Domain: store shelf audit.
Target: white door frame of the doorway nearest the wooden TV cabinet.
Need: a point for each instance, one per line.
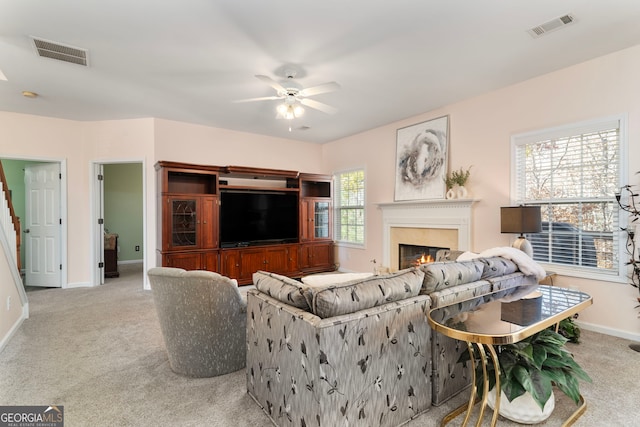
(97, 202)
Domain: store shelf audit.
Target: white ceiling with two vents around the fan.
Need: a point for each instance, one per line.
(189, 60)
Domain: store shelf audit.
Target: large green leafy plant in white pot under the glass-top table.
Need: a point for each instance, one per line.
(534, 365)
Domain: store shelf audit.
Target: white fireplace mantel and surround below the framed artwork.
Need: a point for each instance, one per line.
(444, 214)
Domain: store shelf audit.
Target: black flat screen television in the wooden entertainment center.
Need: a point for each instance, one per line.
(252, 218)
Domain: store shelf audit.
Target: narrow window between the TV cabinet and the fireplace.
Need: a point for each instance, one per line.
(350, 207)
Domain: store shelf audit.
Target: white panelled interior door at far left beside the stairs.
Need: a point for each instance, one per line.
(43, 224)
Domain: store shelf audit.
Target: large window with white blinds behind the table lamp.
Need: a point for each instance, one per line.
(573, 173)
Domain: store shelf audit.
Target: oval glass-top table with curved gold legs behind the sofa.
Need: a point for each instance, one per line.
(480, 323)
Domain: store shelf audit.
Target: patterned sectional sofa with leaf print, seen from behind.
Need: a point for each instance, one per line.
(361, 353)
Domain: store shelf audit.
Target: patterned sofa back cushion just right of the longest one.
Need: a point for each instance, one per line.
(440, 275)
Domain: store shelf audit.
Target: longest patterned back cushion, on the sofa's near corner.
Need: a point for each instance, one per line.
(356, 295)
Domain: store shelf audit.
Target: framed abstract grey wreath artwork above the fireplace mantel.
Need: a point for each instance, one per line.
(421, 159)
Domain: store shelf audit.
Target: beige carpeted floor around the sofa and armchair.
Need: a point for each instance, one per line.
(99, 352)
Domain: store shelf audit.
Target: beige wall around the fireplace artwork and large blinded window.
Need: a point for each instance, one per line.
(480, 132)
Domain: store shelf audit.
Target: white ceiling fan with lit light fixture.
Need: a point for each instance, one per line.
(295, 96)
